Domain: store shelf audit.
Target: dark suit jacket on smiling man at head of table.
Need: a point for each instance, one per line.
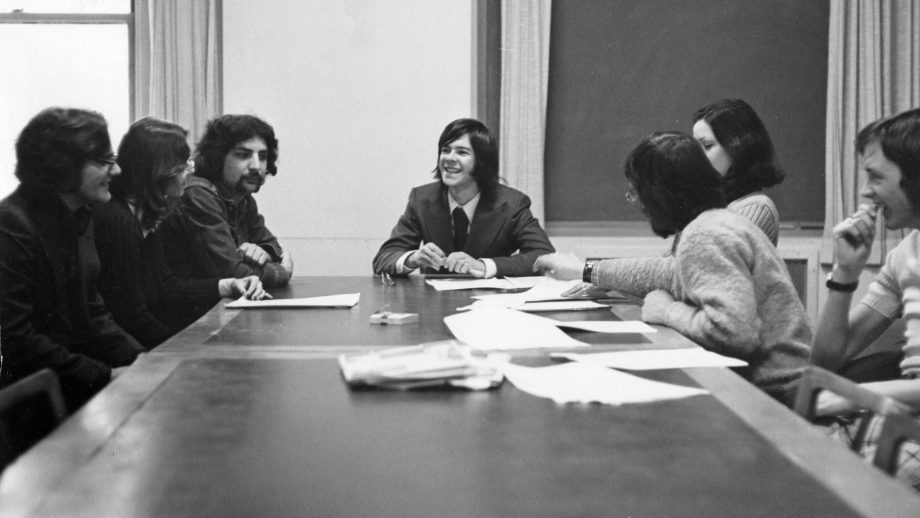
(501, 225)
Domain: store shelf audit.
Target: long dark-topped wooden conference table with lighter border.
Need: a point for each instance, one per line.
(245, 414)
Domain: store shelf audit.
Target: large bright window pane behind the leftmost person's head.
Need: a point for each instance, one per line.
(82, 66)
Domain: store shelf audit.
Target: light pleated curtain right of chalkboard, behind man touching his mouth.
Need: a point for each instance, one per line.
(873, 72)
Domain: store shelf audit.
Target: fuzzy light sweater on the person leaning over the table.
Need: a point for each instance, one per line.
(734, 297)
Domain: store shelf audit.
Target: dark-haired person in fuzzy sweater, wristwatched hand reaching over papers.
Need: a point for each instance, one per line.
(731, 292)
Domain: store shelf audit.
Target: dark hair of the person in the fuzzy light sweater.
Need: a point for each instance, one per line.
(673, 180)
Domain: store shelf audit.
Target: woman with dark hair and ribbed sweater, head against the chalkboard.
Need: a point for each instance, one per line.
(740, 149)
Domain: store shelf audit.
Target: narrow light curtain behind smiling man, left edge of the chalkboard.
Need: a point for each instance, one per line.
(525, 78)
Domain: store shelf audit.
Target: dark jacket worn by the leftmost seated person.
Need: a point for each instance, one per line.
(50, 312)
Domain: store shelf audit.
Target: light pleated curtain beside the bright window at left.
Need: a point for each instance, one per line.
(177, 61)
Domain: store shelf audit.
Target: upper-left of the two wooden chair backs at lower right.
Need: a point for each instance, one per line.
(816, 379)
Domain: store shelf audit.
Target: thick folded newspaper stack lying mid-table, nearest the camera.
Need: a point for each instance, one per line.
(437, 364)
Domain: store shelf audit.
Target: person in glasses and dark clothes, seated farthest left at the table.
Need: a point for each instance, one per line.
(50, 313)
